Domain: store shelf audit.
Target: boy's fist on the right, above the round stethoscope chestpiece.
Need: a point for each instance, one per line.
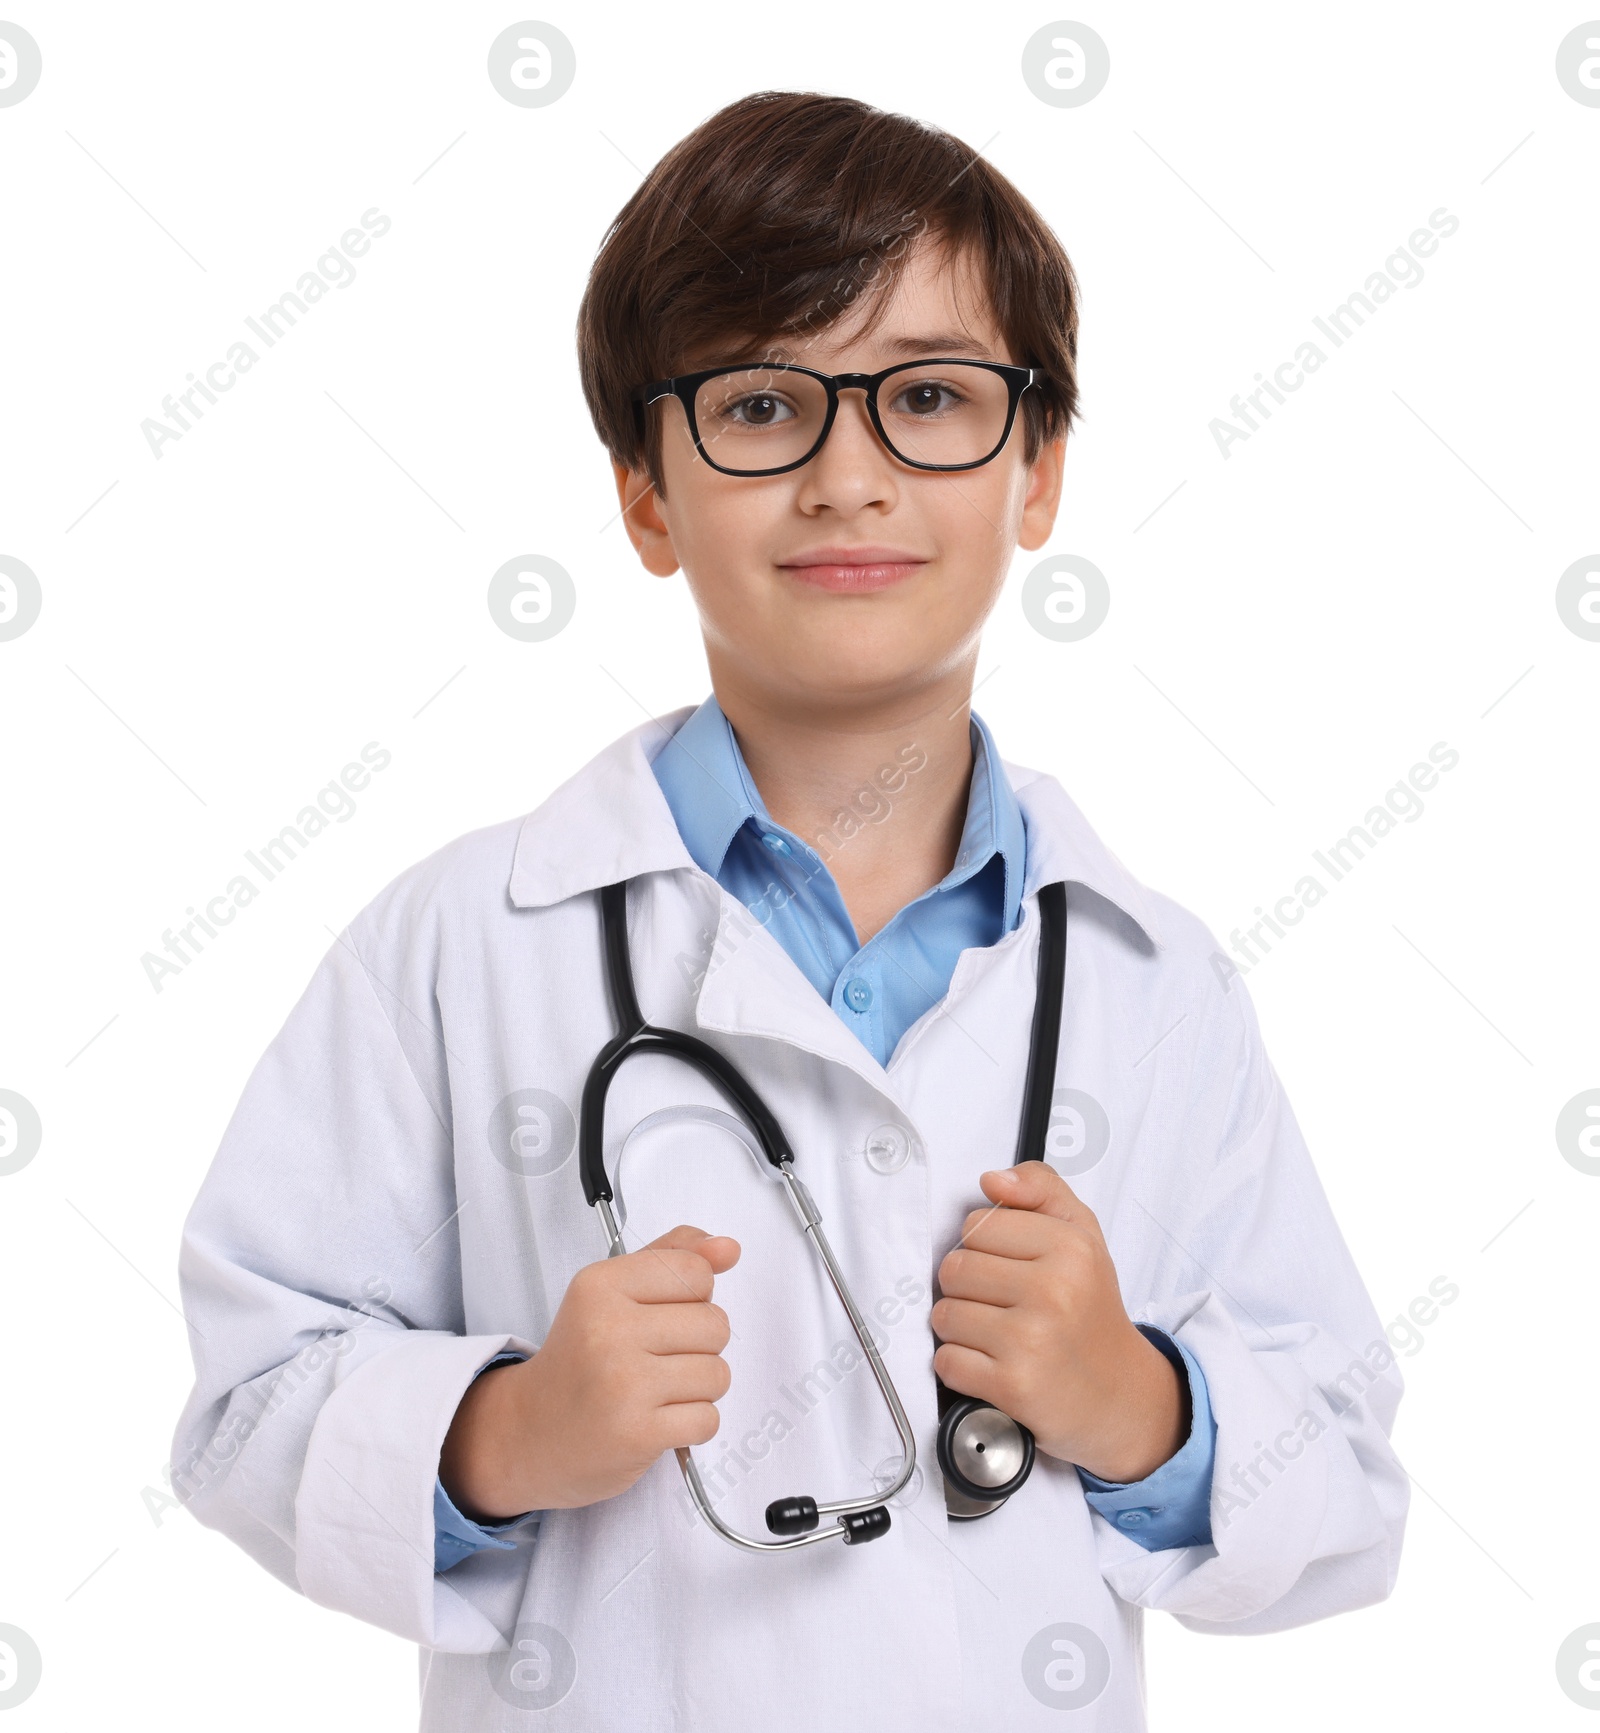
(1032, 1321)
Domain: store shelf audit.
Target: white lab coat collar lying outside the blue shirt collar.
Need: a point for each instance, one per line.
(613, 821)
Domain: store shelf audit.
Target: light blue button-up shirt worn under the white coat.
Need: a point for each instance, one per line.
(880, 990)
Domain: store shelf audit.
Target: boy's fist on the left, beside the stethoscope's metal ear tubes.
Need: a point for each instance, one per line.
(632, 1368)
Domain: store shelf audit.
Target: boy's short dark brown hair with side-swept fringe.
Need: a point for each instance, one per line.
(774, 216)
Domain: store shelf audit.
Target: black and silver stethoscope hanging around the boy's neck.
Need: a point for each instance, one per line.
(984, 1455)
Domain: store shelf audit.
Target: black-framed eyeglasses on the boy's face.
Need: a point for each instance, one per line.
(932, 415)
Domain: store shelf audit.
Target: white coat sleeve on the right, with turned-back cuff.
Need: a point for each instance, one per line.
(1308, 1500)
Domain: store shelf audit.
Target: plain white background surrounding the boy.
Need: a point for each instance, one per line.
(1289, 633)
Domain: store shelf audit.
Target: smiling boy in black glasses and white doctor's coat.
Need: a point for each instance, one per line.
(427, 1399)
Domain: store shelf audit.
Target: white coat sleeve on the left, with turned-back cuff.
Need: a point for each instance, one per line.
(322, 1283)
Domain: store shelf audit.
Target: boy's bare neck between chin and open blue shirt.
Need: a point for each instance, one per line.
(880, 789)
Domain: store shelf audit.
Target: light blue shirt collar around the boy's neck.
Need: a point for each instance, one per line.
(712, 795)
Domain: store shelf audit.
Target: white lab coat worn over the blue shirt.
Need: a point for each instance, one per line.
(380, 1221)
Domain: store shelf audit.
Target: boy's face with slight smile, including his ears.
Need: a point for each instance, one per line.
(942, 543)
